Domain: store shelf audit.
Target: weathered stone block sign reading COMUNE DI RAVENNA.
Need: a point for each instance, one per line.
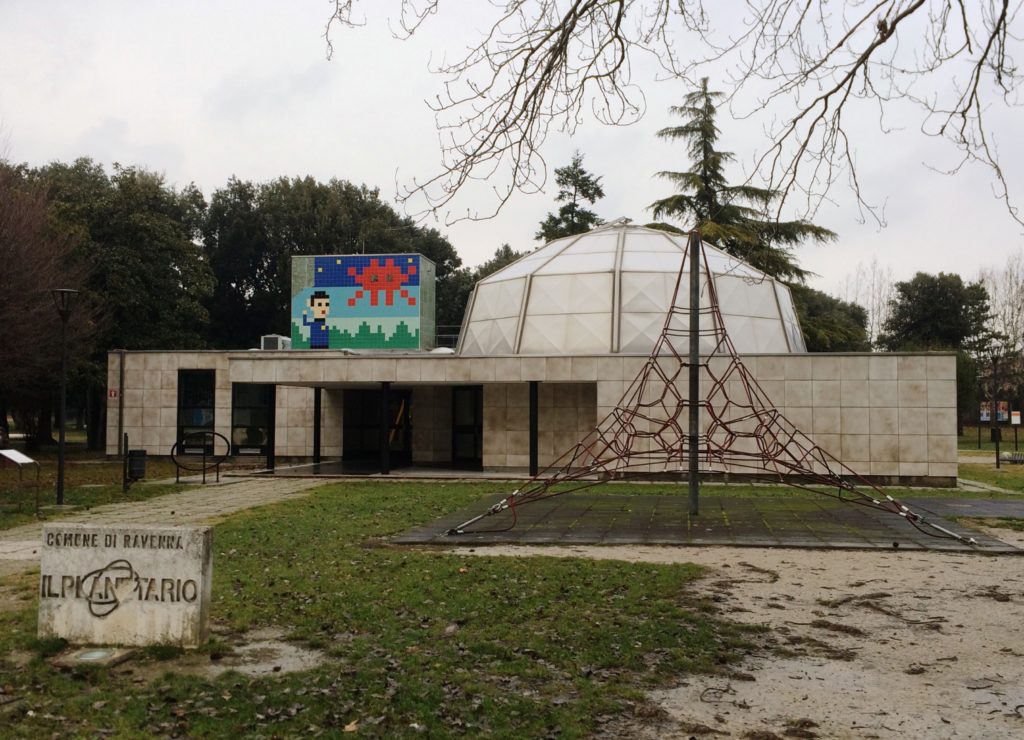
(125, 586)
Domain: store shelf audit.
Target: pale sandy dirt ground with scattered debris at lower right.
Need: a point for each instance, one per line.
(880, 645)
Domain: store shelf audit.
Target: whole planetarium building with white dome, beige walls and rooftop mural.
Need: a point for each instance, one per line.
(548, 347)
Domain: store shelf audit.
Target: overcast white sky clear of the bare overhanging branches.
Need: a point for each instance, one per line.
(203, 92)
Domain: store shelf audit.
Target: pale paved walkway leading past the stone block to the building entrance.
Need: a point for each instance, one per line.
(20, 547)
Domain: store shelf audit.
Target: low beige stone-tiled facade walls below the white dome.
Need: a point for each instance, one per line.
(890, 417)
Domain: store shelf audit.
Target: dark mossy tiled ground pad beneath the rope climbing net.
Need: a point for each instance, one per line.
(610, 519)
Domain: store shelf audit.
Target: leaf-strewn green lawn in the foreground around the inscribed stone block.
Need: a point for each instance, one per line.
(420, 642)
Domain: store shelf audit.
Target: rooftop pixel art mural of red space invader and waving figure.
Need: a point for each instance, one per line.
(363, 302)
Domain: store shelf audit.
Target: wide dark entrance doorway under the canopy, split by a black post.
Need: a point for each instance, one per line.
(362, 432)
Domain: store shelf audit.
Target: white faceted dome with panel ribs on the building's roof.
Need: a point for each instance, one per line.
(609, 292)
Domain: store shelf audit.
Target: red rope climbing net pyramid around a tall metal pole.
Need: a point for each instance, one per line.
(741, 432)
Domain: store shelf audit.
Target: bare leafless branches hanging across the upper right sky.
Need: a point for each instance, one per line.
(799, 67)
